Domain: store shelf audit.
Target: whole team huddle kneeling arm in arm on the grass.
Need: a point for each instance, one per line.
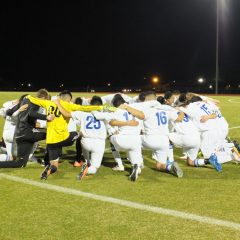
(158, 123)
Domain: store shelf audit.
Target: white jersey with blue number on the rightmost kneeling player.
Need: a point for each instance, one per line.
(198, 109)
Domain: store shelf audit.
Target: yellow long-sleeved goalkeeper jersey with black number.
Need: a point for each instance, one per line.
(57, 130)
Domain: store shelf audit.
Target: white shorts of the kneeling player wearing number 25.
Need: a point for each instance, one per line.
(93, 150)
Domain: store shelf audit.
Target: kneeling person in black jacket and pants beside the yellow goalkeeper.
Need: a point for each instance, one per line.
(26, 134)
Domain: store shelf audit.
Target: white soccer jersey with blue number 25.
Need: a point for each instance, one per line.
(90, 127)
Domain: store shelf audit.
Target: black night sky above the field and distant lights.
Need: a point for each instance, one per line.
(122, 42)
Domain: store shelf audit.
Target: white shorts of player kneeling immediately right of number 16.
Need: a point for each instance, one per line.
(189, 143)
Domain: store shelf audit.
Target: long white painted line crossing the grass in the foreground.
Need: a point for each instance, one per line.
(144, 207)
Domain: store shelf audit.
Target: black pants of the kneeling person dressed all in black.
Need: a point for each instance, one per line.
(24, 148)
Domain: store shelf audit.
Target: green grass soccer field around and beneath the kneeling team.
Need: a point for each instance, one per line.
(204, 204)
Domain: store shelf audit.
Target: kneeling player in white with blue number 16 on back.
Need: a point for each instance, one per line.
(155, 137)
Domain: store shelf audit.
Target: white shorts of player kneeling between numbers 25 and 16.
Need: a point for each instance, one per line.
(130, 144)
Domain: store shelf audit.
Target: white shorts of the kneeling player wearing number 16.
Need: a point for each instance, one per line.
(159, 144)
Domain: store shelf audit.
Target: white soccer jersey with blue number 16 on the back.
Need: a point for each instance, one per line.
(156, 121)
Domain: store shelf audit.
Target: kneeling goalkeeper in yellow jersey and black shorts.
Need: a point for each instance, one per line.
(57, 130)
